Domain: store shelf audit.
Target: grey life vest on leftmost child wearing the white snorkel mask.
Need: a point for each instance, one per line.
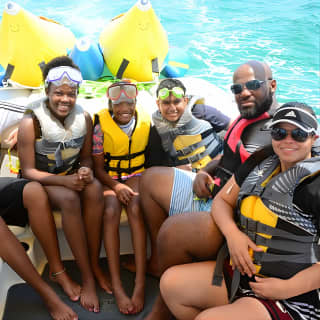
(58, 148)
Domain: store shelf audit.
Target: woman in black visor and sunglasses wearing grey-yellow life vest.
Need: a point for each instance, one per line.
(274, 245)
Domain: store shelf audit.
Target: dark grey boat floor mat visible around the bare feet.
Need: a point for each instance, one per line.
(24, 303)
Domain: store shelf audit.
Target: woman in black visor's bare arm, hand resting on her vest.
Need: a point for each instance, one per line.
(238, 243)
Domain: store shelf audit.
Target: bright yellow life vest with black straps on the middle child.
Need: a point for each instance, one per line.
(123, 155)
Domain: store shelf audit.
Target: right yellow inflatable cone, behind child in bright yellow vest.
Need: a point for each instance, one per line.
(134, 44)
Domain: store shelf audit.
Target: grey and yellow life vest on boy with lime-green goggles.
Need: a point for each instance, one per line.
(189, 140)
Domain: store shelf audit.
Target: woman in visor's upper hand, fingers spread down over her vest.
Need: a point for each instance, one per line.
(239, 245)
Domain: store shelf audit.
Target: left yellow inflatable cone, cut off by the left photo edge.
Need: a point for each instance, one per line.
(27, 42)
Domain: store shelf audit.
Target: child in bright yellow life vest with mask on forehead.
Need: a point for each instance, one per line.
(120, 137)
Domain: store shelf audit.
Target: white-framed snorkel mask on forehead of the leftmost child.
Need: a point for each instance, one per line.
(63, 75)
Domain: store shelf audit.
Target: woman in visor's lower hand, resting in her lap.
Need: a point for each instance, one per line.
(271, 288)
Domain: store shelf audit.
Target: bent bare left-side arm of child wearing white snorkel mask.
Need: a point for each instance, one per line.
(26, 142)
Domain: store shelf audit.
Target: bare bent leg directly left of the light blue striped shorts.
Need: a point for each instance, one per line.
(155, 187)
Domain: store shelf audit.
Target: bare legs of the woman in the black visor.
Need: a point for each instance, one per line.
(187, 290)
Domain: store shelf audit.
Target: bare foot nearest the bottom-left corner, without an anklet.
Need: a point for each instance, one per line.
(59, 310)
